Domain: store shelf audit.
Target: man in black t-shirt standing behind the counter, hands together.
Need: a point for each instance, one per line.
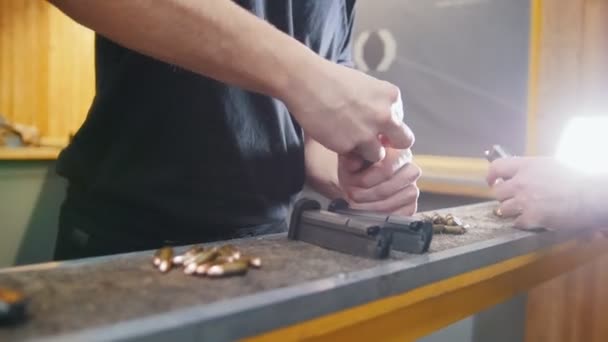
(210, 115)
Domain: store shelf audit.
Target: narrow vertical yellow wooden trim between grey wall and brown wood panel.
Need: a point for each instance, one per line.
(536, 23)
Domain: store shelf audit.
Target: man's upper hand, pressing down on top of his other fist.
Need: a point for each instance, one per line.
(349, 112)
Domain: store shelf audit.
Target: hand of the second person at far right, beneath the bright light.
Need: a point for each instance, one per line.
(541, 193)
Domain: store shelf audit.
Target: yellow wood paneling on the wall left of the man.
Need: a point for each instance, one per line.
(46, 68)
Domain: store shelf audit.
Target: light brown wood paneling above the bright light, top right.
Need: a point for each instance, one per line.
(573, 66)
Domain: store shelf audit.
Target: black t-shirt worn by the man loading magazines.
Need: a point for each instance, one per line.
(166, 152)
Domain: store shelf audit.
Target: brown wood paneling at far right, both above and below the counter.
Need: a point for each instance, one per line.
(573, 77)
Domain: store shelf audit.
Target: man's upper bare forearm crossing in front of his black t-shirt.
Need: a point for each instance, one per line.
(215, 38)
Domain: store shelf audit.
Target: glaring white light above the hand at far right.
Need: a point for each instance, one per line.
(584, 144)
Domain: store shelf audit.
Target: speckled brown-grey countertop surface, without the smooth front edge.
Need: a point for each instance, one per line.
(94, 293)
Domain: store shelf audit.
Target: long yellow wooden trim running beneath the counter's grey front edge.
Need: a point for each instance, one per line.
(417, 313)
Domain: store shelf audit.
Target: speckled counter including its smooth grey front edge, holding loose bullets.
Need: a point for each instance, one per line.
(124, 297)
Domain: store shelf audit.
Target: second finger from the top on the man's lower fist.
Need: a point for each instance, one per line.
(404, 177)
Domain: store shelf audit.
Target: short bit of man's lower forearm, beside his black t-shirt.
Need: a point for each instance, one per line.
(322, 169)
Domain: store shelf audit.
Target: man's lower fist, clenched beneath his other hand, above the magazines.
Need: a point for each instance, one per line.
(387, 186)
